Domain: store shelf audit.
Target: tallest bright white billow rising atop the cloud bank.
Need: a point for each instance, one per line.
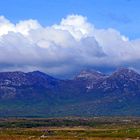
(77, 25)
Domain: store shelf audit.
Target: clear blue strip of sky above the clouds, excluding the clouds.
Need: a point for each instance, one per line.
(122, 15)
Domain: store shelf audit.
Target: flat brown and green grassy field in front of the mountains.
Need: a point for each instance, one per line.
(70, 129)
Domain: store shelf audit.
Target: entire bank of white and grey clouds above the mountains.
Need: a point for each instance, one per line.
(64, 48)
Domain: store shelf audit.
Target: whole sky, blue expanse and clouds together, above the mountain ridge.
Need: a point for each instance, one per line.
(62, 37)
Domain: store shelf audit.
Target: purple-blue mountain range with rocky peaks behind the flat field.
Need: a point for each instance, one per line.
(90, 93)
